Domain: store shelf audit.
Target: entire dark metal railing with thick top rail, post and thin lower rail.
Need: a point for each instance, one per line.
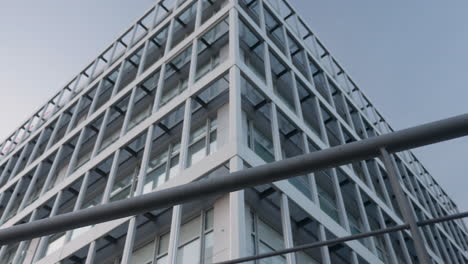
(379, 146)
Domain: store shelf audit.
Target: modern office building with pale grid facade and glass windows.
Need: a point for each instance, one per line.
(196, 89)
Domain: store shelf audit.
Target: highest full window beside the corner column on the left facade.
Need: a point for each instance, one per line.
(213, 48)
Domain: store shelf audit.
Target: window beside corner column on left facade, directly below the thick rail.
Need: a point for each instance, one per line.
(193, 234)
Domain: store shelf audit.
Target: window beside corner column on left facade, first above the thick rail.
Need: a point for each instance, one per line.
(202, 141)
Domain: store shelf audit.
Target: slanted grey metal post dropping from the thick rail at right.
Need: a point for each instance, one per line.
(403, 203)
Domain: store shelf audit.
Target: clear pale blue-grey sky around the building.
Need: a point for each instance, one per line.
(410, 57)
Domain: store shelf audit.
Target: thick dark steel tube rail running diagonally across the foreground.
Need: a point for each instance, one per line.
(332, 157)
